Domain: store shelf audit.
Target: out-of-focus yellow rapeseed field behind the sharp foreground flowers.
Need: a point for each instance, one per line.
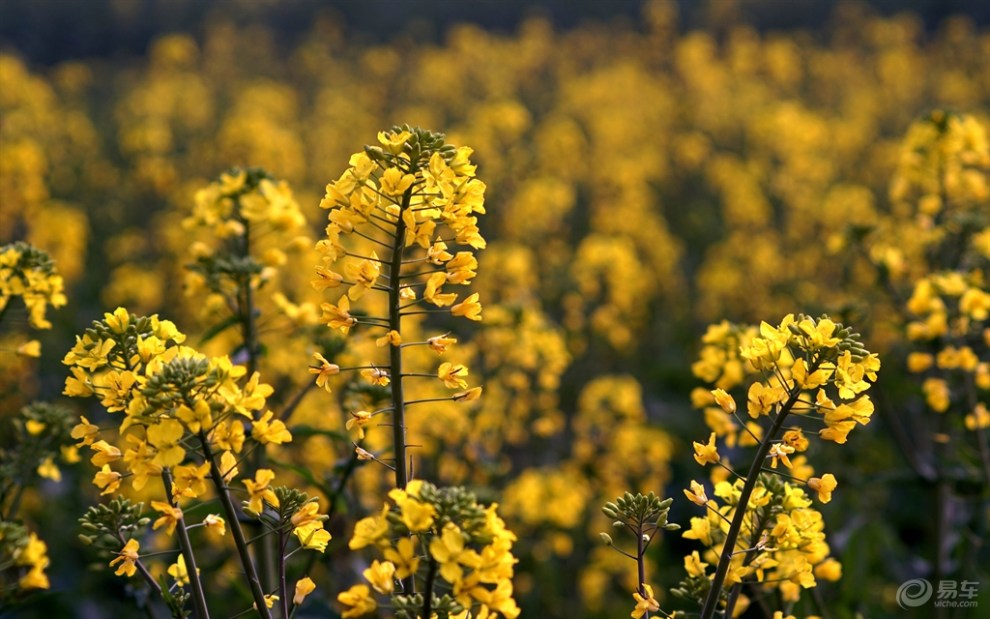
(600, 227)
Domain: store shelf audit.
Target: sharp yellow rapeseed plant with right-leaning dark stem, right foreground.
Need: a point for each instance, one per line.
(806, 378)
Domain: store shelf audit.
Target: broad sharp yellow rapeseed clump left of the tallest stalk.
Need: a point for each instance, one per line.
(188, 421)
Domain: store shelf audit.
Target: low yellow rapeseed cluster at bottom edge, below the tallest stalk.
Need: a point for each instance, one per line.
(457, 551)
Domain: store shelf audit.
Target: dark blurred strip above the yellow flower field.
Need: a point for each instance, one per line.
(46, 32)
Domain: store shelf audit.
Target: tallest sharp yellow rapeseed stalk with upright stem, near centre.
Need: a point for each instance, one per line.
(411, 198)
